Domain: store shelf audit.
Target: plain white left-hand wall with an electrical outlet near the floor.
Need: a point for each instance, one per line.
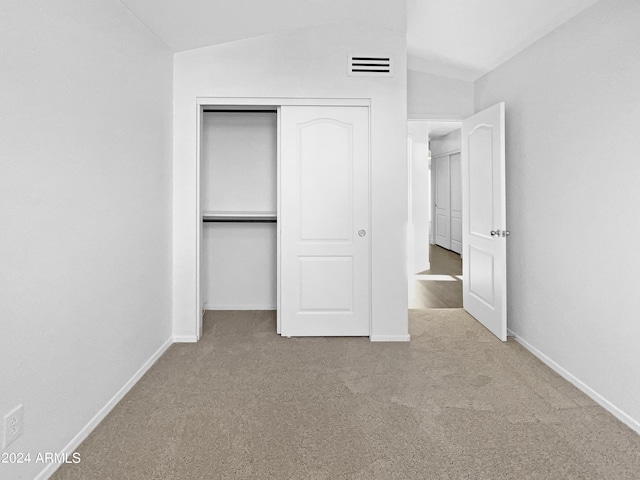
(85, 215)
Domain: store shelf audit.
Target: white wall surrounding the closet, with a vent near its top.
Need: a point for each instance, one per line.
(303, 63)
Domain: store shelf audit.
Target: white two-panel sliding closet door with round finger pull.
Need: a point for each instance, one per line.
(324, 221)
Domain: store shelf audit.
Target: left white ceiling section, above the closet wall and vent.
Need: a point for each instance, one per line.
(184, 25)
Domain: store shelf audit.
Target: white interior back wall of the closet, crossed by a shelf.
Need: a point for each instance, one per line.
(238, 175)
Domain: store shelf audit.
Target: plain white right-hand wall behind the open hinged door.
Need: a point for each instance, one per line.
(572, 112)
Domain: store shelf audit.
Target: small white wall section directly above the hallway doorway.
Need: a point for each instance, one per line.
(433, 96)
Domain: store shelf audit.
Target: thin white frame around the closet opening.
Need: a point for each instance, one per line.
(266, 103)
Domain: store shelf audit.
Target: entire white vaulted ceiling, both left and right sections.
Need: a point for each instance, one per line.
(460, 39)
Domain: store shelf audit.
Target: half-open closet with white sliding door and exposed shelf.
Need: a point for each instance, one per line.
(284, 214)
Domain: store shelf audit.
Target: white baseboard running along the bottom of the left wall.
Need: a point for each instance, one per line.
(103, 412)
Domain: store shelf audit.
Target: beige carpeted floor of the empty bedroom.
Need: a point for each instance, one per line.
(454, 403)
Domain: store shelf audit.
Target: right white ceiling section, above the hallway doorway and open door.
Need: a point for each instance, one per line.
(465, 39)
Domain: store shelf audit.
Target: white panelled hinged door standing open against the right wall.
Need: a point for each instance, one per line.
(484, 233)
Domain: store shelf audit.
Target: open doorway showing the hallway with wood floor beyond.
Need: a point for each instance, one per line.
(435, 213)
